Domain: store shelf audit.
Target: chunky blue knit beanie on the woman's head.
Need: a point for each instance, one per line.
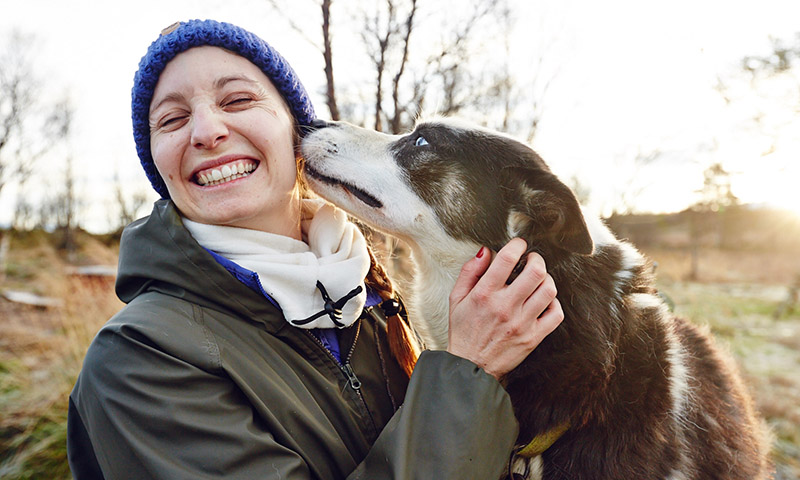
(194, 33)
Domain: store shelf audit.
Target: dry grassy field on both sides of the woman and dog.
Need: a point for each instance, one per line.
(41, 350)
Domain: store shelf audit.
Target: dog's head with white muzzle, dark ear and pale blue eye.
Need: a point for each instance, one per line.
(446, 178)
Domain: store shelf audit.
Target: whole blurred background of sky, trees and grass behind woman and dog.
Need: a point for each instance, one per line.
(677, 122)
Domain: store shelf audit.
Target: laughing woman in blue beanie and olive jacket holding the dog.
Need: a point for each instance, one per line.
(254, 343)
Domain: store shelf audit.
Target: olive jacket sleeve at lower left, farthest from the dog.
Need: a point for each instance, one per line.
(138, 412)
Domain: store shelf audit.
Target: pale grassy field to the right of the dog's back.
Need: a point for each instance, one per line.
(742, 316)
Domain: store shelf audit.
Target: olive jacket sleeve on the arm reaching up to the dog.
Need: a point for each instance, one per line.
(456, 423)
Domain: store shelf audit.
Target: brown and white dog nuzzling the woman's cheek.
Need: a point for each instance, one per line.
(622, 389)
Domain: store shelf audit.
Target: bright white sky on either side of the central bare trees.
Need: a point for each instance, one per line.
(633, 78)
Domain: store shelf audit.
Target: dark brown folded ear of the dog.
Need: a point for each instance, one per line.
(547, 211)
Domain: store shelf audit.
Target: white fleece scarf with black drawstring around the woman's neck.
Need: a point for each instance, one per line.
(318, 283)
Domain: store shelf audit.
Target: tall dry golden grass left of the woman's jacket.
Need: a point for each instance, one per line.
(41, 352)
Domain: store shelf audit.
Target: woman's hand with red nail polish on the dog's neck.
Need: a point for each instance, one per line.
(496, 325)
